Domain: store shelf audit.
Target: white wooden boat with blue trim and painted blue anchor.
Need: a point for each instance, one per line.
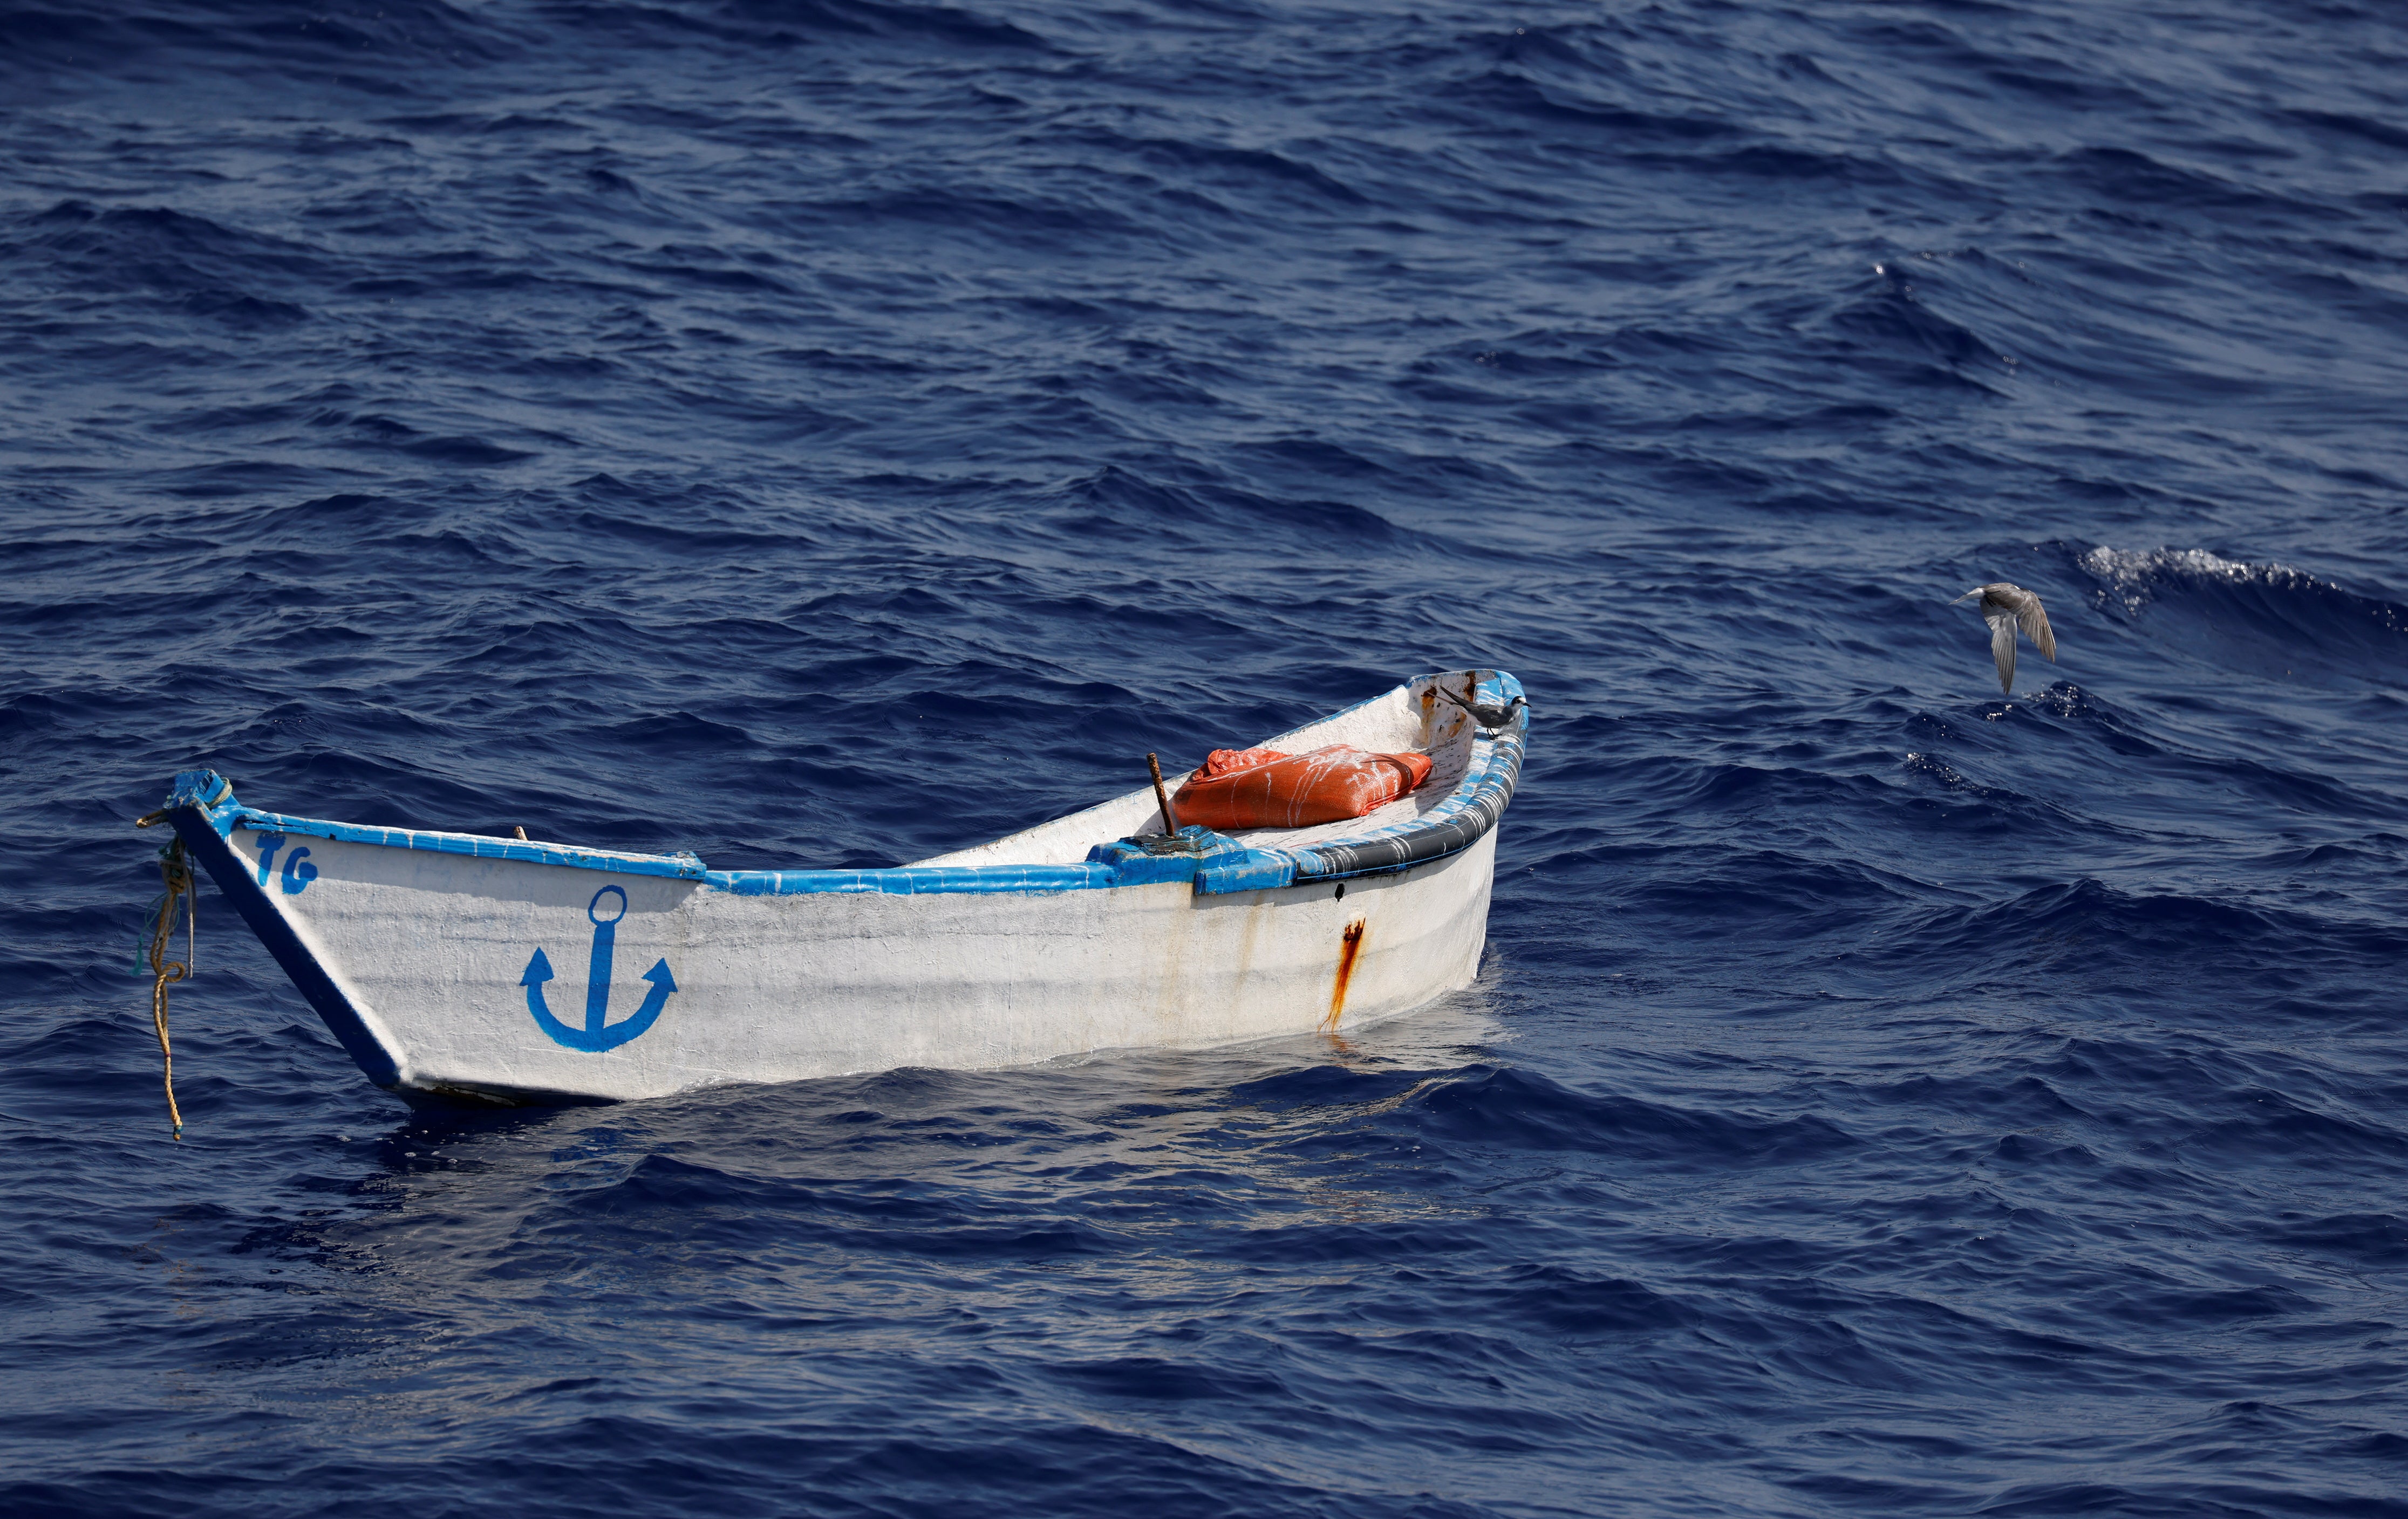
(490, 969)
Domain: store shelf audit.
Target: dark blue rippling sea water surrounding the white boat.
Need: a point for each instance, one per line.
(825, 432)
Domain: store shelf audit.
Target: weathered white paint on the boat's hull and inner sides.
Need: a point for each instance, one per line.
(430, 950)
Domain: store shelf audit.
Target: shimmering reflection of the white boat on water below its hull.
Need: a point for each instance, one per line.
(1099, 1154)
